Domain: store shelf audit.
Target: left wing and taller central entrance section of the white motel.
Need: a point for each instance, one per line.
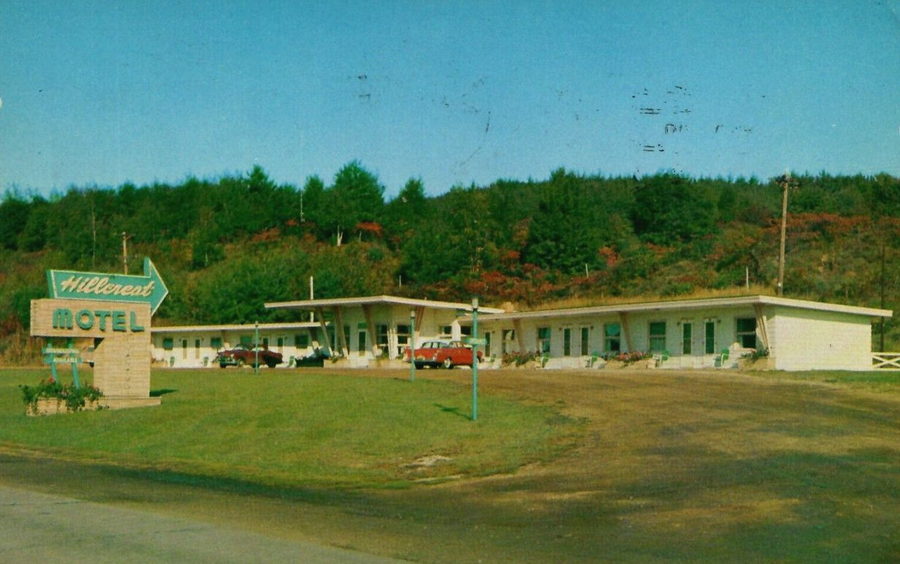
(375, 331)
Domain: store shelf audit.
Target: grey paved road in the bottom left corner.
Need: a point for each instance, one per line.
(41, 527)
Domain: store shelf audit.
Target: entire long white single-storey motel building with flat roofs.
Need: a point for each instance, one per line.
(375, 331)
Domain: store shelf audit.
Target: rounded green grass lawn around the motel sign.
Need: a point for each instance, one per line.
(296, 428)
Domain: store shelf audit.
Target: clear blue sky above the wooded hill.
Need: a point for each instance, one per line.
(100, 93)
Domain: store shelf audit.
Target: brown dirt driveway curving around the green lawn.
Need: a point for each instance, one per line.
(670, 465)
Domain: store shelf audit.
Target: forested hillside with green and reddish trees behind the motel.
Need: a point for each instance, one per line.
(226, 246)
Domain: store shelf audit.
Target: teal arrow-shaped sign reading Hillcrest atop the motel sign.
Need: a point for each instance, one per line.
(67, 284)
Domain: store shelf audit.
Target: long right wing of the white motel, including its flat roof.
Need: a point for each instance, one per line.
(791, 334)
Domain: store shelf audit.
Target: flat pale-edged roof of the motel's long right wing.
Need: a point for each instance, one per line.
(671, 305)
